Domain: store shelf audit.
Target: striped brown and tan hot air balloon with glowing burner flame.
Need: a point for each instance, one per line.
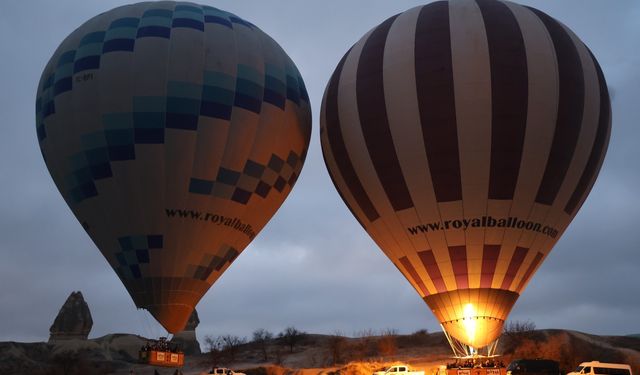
(464, 136)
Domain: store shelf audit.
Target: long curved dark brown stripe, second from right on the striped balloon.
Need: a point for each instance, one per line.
(570, 107)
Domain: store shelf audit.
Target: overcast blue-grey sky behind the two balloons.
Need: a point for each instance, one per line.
(313, 266)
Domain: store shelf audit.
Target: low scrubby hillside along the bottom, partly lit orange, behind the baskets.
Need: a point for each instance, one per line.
(312, 354)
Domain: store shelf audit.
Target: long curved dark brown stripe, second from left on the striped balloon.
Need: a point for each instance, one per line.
(374, 121)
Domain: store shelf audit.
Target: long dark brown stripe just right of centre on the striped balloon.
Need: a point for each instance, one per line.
(509, 96)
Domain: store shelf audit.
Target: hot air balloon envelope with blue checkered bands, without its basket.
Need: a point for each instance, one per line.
(174, 131)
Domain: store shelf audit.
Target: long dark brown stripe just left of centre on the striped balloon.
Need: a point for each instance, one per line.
(436, 101)
